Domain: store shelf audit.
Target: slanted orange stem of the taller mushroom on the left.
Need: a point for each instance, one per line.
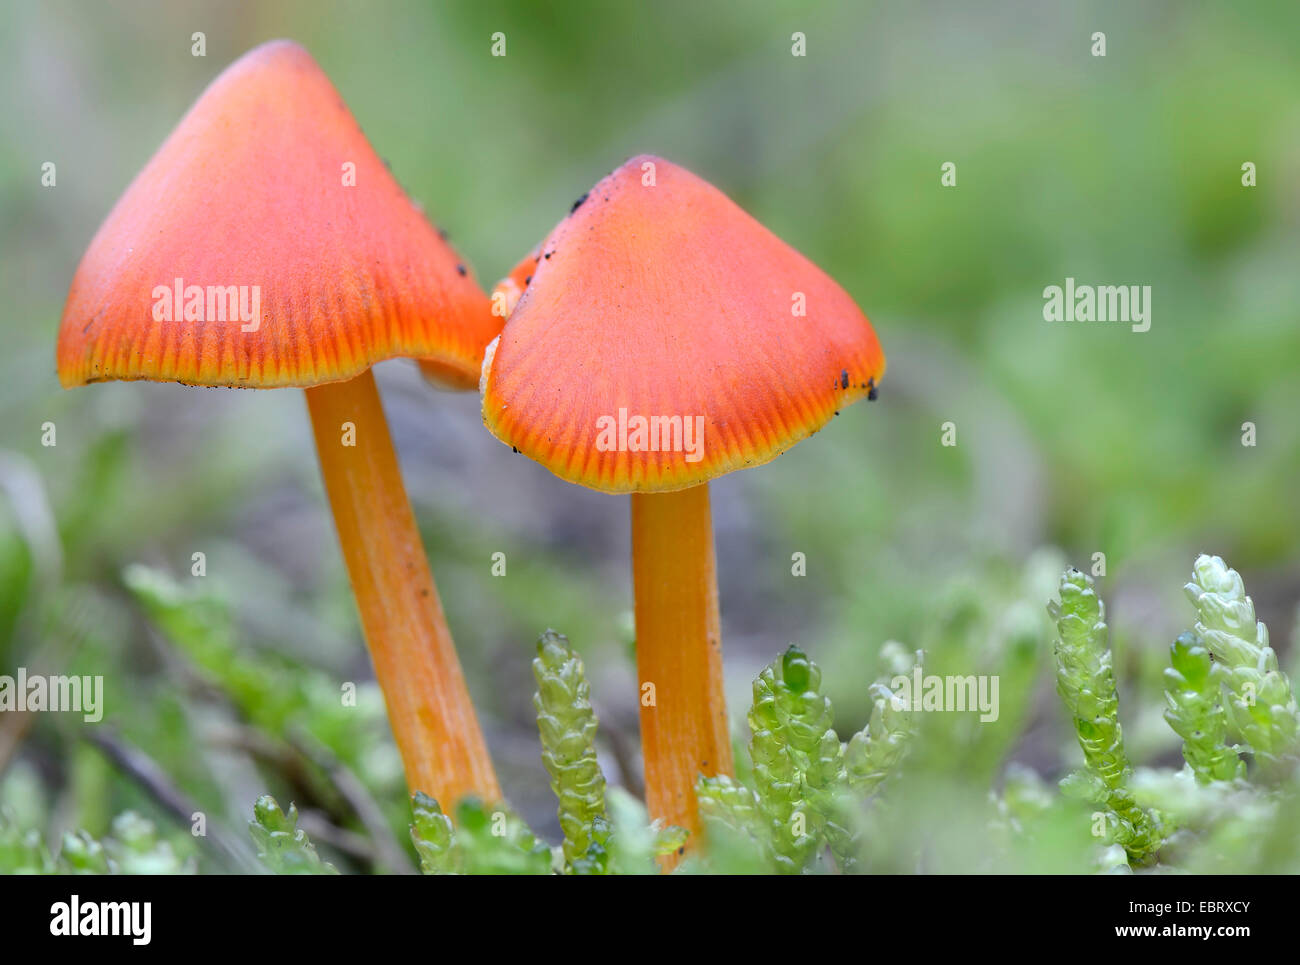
(415, 661)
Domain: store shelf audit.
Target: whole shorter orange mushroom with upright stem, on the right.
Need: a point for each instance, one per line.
(664, 339)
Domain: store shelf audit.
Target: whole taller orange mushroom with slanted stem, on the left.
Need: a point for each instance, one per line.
(266, 245)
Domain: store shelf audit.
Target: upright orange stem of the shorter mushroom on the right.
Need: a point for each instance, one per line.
(684, 729)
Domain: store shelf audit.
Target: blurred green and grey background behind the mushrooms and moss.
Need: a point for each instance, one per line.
(1124, 170)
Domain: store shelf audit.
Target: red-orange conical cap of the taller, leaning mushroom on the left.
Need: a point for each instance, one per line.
(250, 197)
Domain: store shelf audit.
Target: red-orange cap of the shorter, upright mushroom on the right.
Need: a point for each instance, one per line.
(662, 301)
